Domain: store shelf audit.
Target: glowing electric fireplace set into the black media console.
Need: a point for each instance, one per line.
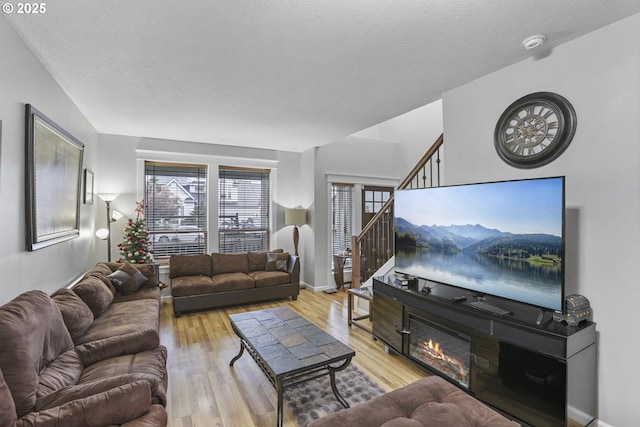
(440, 348)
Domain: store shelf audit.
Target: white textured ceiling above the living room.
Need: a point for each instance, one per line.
(287, 75)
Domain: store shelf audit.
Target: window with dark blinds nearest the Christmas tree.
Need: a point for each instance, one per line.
(176, 208)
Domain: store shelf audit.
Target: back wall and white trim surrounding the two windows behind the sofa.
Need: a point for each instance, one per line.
(122, 171)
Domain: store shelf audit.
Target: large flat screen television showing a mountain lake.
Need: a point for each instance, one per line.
(504, 239)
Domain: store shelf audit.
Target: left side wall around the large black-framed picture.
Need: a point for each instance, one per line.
(24, 80)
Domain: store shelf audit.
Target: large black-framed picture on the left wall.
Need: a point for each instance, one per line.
(54, 182)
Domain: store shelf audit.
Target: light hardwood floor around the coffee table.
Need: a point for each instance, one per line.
(205, 391)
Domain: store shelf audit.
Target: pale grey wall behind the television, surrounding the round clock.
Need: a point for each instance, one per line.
(600, 75)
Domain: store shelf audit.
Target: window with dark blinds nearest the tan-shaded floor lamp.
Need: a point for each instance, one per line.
(243, 210)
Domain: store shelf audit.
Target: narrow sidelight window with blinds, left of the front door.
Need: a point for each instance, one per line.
(341, 217)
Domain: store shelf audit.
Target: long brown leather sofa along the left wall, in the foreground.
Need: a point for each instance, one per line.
(89, 355)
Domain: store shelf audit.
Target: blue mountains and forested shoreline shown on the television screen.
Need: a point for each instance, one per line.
(476, 239)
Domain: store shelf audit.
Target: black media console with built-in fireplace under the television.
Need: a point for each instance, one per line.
(535, 370)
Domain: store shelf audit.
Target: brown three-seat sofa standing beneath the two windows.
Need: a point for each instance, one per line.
(209, 281)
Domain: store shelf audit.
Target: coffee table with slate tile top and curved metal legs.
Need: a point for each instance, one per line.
(289, 349)
